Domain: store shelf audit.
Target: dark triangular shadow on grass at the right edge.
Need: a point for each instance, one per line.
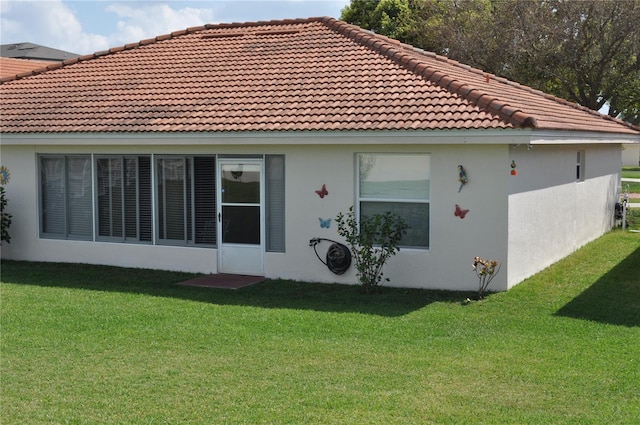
(612, 299)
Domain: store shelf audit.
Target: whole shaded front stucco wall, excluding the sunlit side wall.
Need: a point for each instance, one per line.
(447, 264)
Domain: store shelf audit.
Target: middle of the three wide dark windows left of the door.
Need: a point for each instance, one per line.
(124, 198)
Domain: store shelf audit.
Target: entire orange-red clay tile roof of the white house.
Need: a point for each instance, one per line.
(296, 75)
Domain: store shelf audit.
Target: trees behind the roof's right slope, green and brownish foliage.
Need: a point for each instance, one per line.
(587, 52)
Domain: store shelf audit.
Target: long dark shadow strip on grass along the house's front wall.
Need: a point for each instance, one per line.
(269, 294)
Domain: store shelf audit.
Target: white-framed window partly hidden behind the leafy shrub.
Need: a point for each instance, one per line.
(399, 183)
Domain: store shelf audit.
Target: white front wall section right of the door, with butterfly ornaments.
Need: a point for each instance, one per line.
(454, 241)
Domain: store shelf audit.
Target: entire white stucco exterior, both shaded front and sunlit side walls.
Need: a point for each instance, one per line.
(526, 222)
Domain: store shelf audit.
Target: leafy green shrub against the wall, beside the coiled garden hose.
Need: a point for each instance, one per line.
(372, 243)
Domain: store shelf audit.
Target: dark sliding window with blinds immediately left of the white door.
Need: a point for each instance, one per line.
(186, 200)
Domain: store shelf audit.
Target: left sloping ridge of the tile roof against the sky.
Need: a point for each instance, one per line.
(156, 39)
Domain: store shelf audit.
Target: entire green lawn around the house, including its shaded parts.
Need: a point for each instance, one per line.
(90, 344)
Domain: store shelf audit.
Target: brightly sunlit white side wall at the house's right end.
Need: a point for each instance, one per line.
(550, 213)
